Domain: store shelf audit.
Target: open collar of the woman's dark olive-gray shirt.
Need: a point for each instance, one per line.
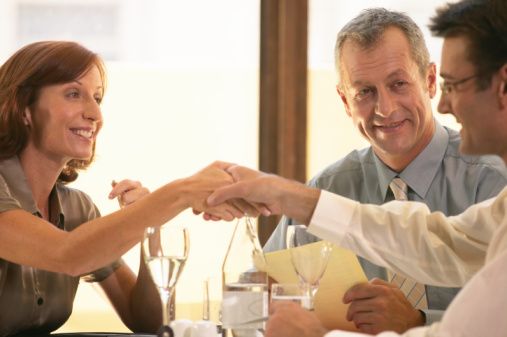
(18, 185)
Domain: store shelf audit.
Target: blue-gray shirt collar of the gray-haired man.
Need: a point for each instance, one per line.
(419, 174)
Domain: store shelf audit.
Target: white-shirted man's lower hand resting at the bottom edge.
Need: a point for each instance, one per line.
(288, 319)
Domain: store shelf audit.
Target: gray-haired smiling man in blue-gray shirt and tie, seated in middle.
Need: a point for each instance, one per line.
(386, 83)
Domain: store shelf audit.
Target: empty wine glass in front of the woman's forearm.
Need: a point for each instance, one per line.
(165, 251)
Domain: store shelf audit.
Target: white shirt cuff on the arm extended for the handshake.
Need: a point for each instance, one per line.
(332, 217)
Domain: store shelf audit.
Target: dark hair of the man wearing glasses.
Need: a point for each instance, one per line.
(484, 24)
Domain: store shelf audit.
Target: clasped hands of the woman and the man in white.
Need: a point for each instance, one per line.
(224, 191)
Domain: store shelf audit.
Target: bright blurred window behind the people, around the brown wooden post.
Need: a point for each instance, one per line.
(183, 91)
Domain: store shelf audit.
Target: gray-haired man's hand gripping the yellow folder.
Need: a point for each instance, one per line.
(379, 306)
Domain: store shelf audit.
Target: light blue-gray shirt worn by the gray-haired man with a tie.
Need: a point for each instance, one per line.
(439, 176)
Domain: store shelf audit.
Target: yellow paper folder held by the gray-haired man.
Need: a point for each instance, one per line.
(342, 272)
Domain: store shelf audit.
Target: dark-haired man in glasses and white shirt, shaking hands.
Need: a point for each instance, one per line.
(406, 237)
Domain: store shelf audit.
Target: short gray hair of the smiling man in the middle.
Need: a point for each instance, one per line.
(367, 28)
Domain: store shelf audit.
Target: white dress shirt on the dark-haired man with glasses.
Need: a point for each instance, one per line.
(431, 248)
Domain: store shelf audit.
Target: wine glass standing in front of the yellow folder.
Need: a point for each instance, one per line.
(309, 262)
